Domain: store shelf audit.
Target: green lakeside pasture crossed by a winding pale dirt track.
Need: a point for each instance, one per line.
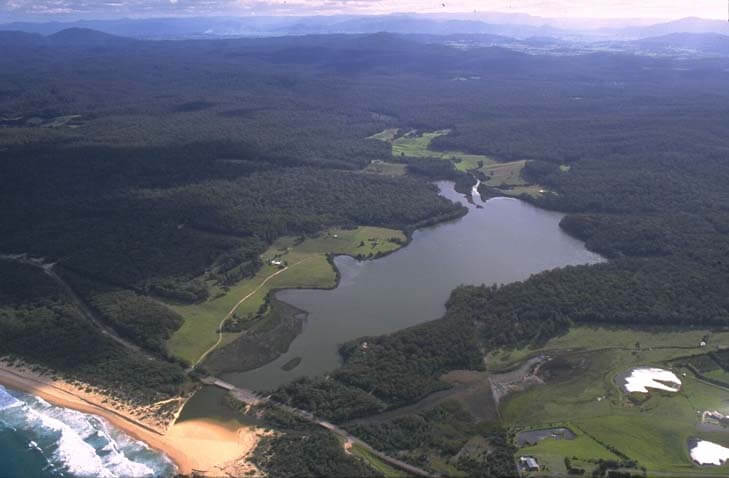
(308, 268)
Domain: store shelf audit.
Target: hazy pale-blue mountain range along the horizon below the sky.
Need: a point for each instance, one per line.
(513, 25)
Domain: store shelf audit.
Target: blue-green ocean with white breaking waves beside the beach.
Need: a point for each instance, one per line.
(40, 440)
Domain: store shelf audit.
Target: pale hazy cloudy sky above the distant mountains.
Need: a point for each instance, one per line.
(664, 9)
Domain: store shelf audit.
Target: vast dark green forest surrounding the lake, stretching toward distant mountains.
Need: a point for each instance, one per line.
(148, 170)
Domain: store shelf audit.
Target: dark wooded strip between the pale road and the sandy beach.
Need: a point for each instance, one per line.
(41, 325)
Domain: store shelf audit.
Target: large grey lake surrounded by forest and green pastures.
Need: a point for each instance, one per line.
(504, 240)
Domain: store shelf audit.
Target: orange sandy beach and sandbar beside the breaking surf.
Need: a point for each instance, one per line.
(203, 447)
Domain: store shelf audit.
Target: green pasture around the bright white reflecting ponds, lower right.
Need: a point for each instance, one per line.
(652, 429)
